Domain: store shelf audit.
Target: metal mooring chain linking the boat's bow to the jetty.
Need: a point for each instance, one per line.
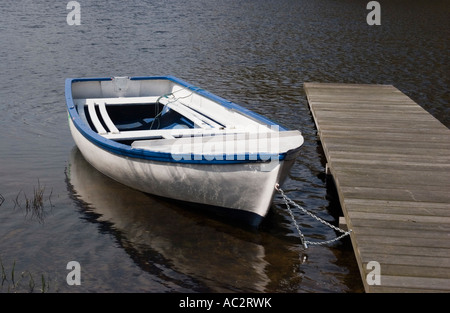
(305, 243)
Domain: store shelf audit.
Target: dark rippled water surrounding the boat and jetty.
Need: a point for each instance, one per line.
(255, 53)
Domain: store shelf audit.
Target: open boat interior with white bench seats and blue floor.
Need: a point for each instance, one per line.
(131, 109)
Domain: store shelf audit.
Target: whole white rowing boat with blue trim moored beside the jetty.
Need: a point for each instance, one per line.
(163, 136)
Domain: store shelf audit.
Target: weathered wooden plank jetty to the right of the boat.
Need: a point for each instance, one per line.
(390, 161)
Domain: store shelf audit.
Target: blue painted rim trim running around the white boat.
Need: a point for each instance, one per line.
(125, 150)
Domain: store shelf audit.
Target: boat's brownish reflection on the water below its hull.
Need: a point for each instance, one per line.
(160, 235)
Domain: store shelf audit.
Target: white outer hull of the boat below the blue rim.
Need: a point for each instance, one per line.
(241, 190)
